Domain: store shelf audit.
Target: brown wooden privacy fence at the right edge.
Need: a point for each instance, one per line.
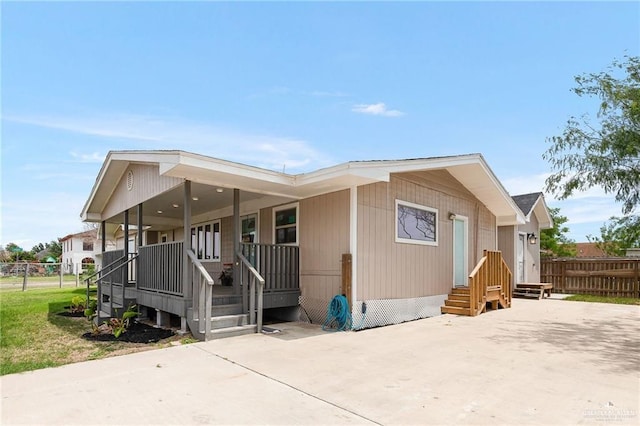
(611, 277)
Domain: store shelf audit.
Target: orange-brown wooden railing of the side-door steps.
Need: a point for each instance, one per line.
(489, 281)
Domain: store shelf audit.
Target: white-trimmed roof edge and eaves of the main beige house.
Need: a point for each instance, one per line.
(470, 170)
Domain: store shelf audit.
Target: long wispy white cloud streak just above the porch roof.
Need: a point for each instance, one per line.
(147, 132)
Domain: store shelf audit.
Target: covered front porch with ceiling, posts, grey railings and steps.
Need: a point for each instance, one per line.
(219, 279)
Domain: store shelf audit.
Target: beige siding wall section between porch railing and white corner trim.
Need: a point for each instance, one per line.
(323, 235)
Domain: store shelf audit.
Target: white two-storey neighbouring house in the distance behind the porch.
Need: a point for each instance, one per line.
(80, 249)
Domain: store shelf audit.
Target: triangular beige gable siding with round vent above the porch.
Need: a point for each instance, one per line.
(147, 183)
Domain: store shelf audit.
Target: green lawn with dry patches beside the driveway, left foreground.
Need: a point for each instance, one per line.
(34, 336)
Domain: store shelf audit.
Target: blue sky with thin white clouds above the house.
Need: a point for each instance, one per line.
(293, 86)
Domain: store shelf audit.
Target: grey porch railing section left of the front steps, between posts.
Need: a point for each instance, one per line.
(160, 268)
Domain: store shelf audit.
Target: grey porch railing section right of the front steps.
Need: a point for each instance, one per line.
(279, 265)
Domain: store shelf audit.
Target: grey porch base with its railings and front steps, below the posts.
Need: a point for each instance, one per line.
(152, 279)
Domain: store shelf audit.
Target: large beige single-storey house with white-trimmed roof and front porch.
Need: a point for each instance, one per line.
(394, 236)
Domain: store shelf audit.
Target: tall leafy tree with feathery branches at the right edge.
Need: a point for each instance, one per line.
(606, 153)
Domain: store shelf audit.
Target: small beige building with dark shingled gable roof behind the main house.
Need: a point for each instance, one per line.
(519, 244)
